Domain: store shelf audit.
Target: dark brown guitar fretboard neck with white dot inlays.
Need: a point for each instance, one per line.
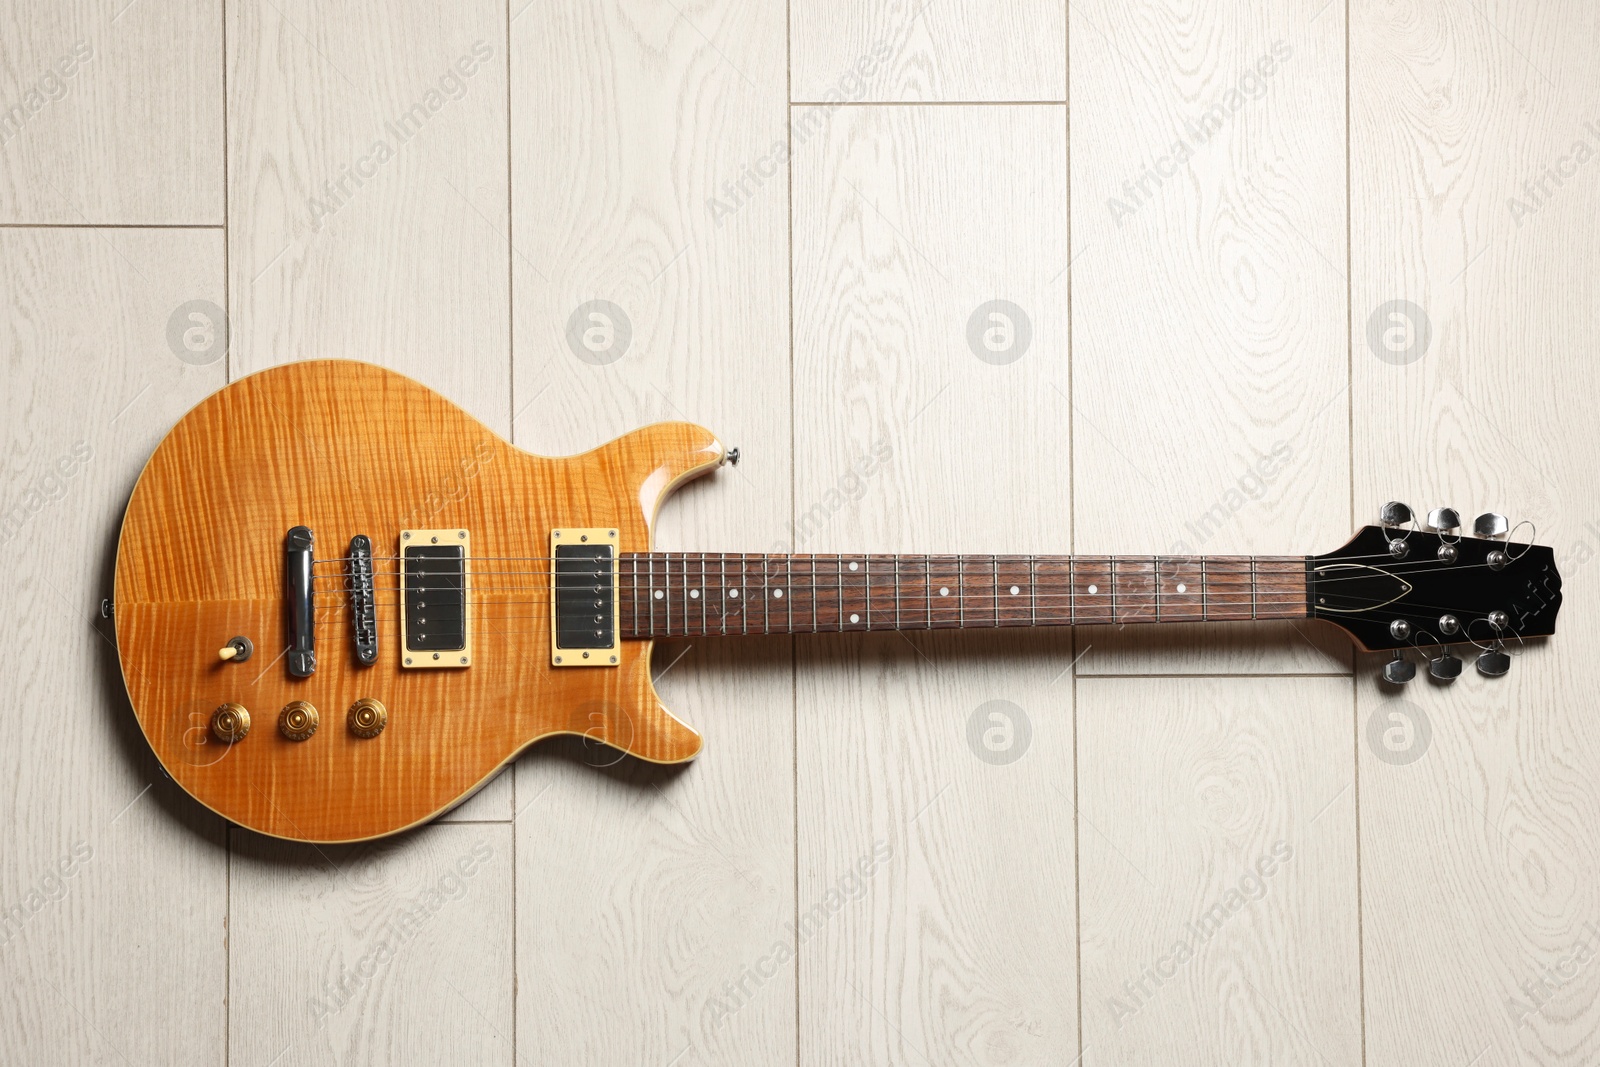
(692, 594)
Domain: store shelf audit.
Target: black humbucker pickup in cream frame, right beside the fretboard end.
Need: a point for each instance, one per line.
(585, 628)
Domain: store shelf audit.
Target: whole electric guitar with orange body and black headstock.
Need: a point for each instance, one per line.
(343, 604)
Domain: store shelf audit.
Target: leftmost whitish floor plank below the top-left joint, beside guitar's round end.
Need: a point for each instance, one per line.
(113, 890)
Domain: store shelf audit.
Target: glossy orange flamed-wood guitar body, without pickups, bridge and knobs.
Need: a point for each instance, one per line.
(350, 449)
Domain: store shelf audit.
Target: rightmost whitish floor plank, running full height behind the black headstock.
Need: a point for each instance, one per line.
(1479, 858)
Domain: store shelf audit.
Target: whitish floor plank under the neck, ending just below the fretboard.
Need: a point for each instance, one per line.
(1209, 370)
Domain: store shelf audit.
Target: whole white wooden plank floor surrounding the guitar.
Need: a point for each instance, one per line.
(956, 278)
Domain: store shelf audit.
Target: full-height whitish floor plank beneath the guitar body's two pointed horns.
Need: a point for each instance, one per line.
(657, 889)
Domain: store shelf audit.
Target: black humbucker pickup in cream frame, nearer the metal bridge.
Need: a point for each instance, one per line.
(436, 626)
